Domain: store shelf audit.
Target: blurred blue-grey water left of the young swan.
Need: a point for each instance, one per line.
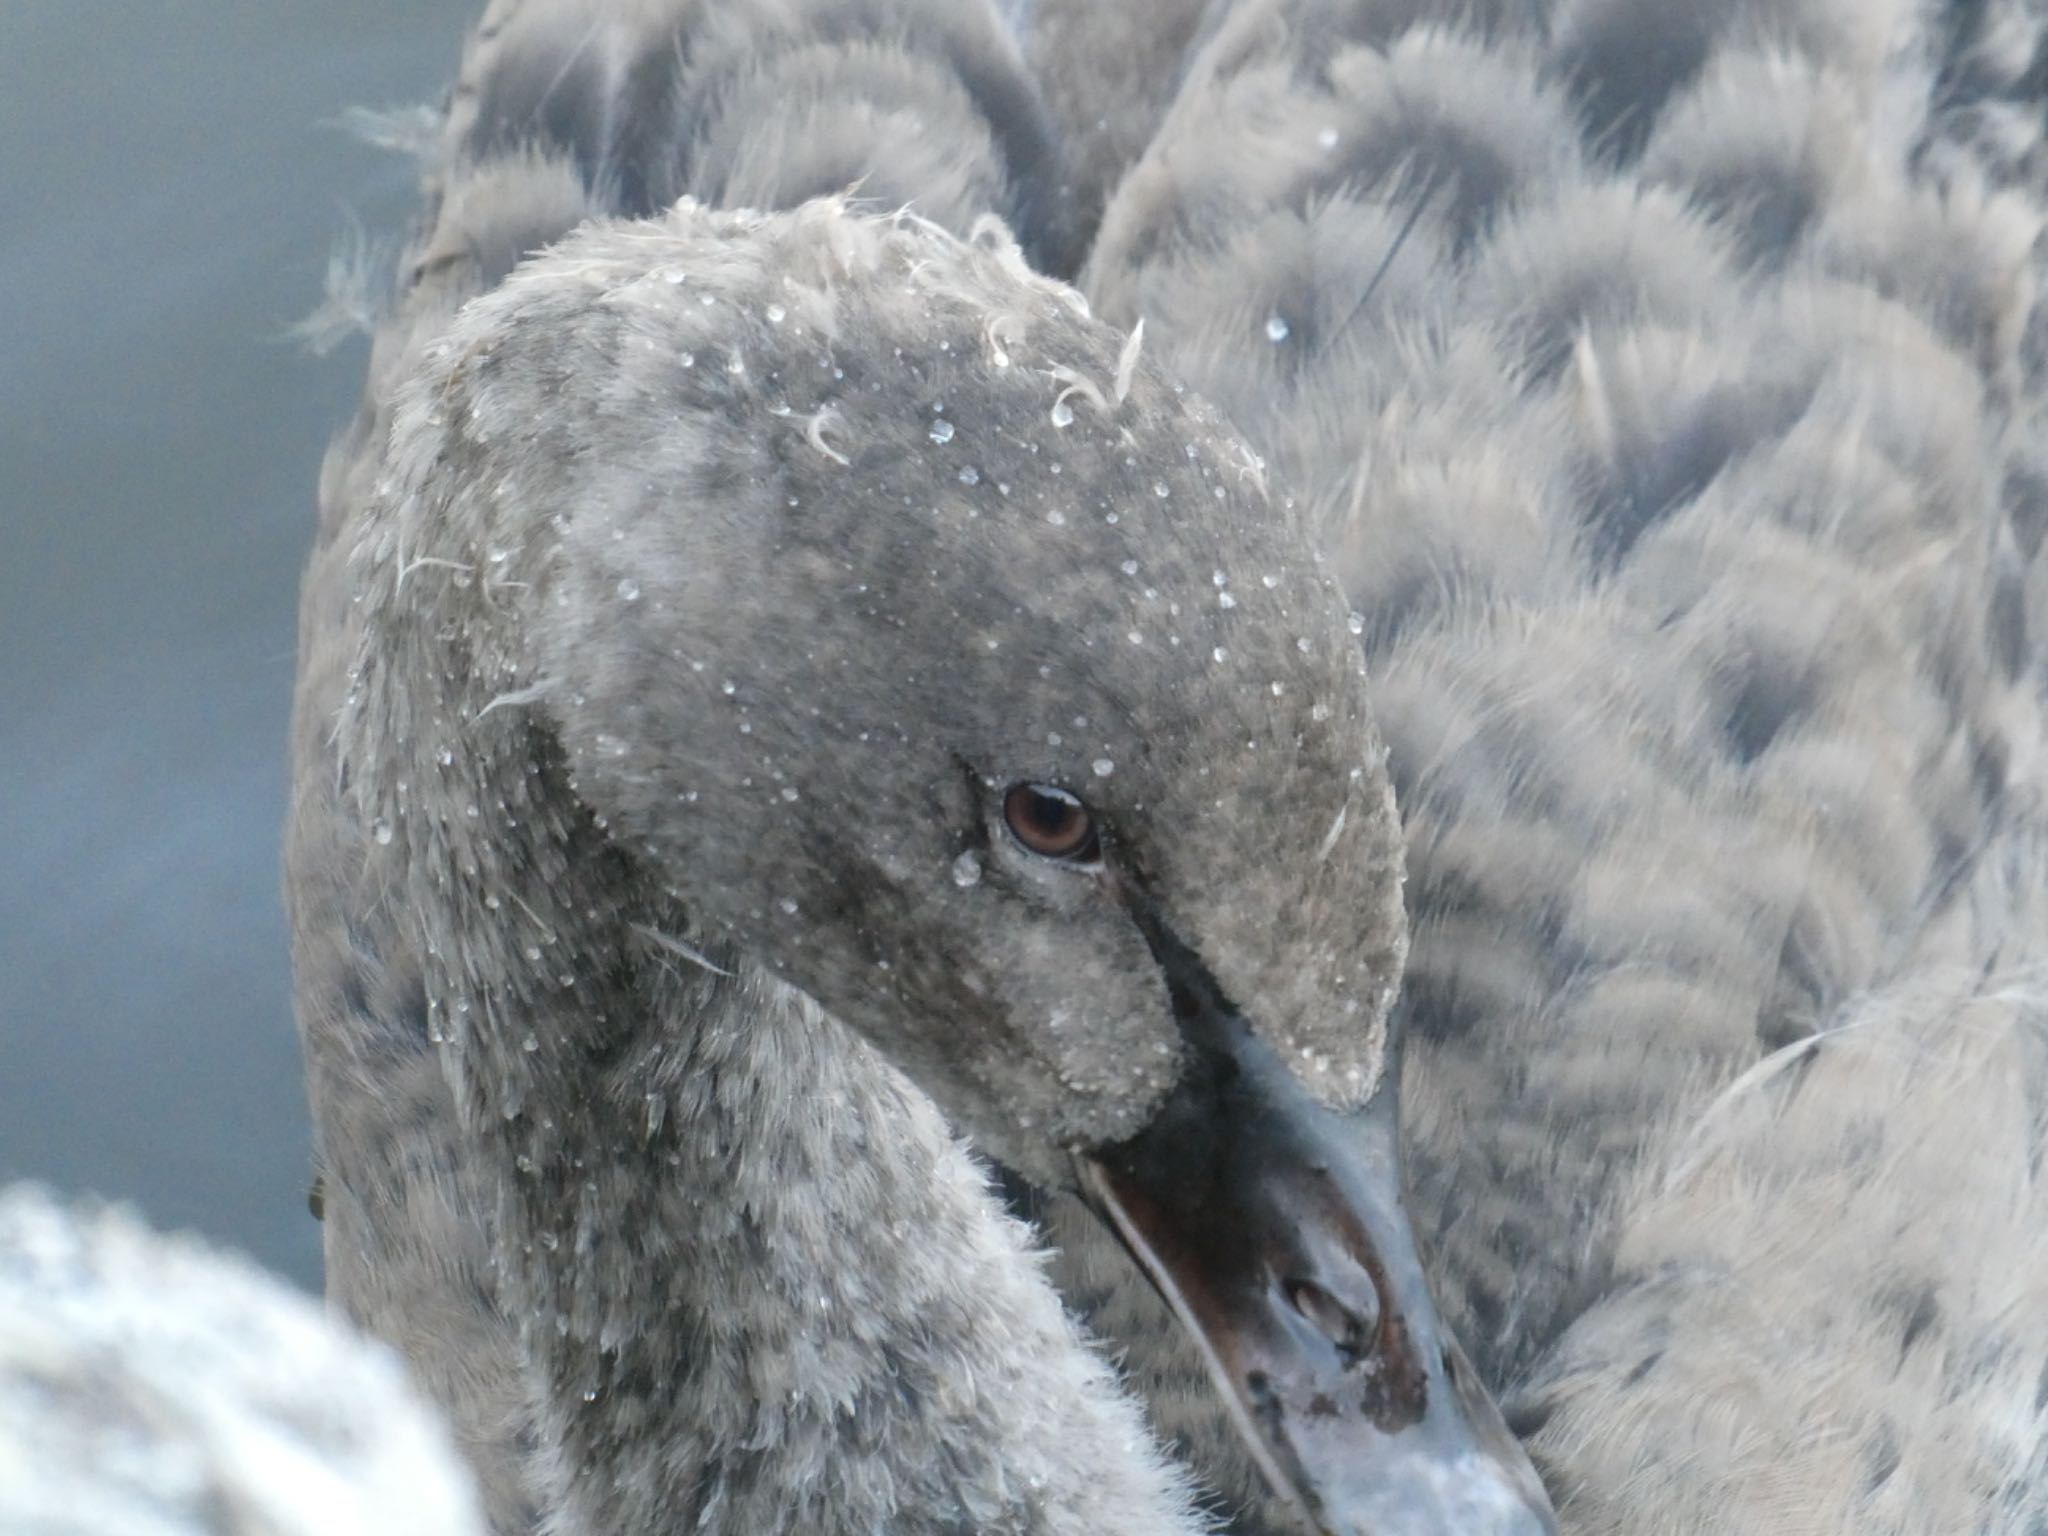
(171, 185)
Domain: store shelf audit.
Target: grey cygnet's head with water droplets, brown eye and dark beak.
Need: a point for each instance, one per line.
(941, 658)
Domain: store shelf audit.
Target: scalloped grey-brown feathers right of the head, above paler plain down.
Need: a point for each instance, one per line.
(1664, 445)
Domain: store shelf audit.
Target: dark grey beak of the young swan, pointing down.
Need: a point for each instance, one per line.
(1275, 1230)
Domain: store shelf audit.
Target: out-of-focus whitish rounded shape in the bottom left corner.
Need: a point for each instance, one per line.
(155, 1388)
